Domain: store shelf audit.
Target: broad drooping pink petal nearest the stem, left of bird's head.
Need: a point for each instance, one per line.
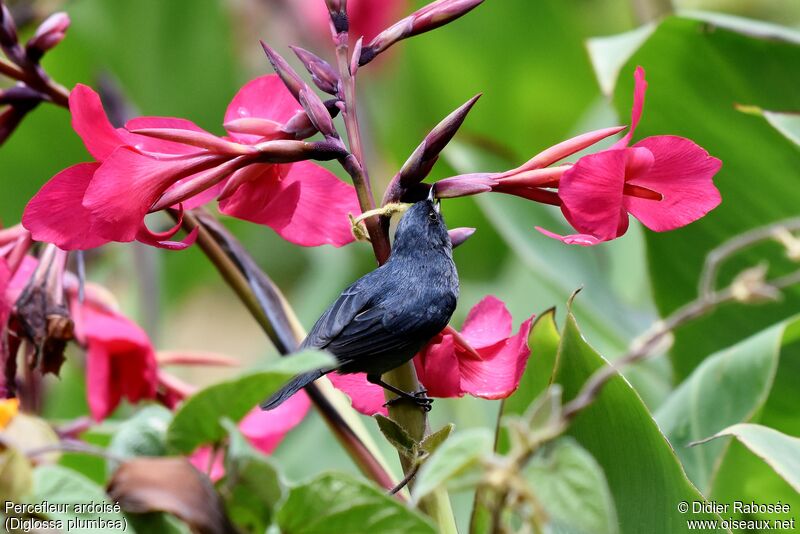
(308, 206)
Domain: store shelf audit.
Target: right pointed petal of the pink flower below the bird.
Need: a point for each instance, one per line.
(497, 376)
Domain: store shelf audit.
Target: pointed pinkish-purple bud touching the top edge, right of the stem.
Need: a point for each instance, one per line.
(423, 20)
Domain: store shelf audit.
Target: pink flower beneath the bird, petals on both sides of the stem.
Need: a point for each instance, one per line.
(446, 369)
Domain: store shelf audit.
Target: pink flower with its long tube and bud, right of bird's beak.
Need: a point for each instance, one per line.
(665, 181)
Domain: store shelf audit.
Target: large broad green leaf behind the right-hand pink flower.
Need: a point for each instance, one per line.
(684, 99)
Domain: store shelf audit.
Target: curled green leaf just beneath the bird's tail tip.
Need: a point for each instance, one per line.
(197, 421)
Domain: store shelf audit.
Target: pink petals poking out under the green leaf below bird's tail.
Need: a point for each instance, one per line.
(264, 431)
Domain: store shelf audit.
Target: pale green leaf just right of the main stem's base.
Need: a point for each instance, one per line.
(457, 457)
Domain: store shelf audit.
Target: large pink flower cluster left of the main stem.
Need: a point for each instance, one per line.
(156, 163)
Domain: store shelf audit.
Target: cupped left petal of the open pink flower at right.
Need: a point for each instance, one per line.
(591, 193)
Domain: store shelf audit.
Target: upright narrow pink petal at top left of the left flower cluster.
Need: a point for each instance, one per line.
(90, 122)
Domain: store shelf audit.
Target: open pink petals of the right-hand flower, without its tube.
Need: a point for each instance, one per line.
(664, 181)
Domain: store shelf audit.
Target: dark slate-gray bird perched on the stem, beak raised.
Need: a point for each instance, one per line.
(385, 318)
